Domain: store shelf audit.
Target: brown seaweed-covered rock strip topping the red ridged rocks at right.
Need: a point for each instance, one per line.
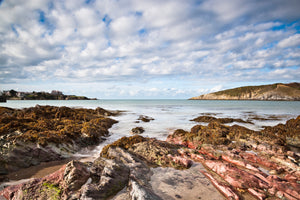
(271, 138)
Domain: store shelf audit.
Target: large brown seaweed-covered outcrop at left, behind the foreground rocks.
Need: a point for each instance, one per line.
(45, 133)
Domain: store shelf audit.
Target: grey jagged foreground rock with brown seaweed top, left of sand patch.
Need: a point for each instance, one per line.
(124, 166)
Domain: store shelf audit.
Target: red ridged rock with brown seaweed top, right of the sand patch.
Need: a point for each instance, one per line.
(242, 162)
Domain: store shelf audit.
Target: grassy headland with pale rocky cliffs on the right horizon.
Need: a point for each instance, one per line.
(273, 92)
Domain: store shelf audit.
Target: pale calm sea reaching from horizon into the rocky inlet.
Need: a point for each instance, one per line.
(171, 114)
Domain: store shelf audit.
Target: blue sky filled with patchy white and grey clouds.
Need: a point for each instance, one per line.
(149, 49)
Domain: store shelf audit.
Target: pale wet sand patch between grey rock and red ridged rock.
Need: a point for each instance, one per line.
(173, 184)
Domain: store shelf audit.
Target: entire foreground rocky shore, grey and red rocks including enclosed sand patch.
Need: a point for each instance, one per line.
(238, 162)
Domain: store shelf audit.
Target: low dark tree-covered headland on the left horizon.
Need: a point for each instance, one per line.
(54, 95)
